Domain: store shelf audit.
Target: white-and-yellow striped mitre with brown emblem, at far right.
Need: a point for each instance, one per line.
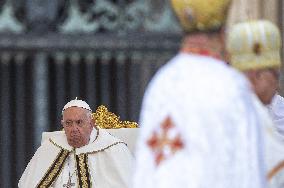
(254, 45)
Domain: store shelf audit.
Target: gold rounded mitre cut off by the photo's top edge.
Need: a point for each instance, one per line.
(201, 15)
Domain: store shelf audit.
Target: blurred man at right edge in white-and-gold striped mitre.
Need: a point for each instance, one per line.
(254, 49)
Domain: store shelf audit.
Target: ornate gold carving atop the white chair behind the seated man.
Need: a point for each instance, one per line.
(108, 120)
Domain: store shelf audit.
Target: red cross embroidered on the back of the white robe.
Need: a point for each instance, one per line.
(160, 141)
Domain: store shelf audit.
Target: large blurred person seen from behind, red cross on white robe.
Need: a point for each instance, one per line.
(199, 126)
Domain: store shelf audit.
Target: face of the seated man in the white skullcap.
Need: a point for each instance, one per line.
(78, 126)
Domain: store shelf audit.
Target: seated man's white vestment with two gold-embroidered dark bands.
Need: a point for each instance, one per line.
(105, 162)
